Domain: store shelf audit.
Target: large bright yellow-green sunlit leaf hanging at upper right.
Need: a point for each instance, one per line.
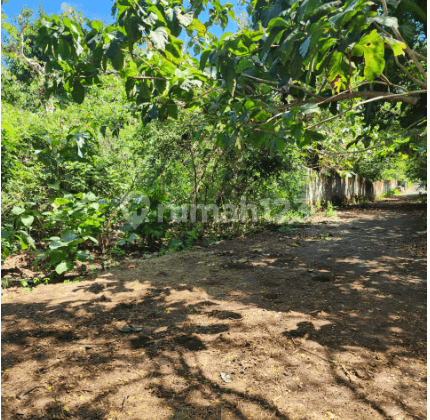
(372, 47)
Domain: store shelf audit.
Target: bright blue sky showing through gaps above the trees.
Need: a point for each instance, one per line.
(93, 10)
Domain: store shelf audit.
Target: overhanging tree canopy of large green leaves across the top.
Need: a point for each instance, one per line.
(262, 83)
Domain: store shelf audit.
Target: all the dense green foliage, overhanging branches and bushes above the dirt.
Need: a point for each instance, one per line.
(95, 116)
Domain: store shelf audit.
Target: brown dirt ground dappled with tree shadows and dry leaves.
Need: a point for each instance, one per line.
(326, 322)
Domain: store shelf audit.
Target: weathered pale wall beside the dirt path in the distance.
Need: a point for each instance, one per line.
(330, 186)
